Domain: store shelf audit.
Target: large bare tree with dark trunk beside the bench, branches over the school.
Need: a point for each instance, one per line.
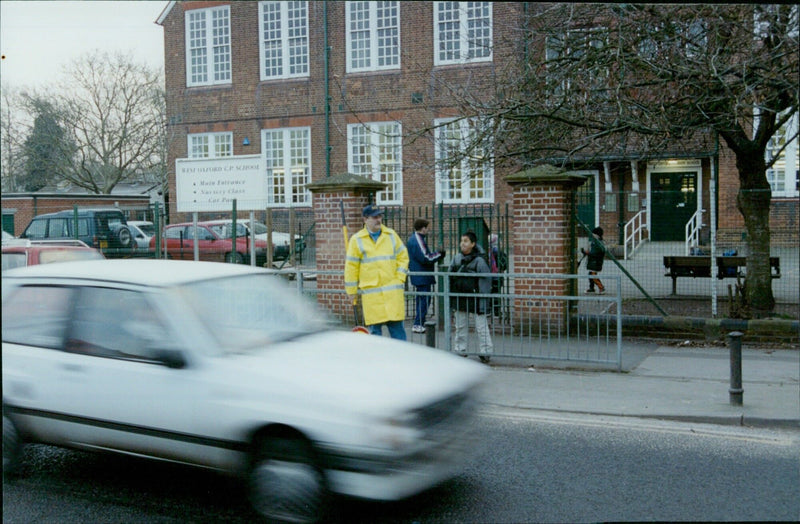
(636, 81)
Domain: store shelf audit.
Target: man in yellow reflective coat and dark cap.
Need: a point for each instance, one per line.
(375, 270)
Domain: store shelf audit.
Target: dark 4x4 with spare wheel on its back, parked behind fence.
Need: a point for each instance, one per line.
(101, 228)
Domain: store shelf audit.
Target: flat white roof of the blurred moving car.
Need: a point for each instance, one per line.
(141, 271)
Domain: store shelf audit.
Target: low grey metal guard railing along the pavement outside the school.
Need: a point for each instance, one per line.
(523, 325)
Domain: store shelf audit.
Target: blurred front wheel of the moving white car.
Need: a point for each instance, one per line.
(286, 483)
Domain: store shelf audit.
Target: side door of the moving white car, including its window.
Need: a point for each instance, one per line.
(113, 386)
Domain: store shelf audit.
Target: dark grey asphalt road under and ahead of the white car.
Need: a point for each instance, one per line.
(530, 467)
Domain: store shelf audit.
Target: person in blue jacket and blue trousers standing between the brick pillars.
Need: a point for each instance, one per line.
(422, 259)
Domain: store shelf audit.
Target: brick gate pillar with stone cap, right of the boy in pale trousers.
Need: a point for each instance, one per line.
(543, 241)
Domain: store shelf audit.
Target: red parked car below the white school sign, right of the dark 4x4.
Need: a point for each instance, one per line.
(214, 245)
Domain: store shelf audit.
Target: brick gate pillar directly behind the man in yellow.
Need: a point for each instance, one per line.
(330, 194)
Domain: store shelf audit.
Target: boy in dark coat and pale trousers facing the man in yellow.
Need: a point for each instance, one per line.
(464, 280)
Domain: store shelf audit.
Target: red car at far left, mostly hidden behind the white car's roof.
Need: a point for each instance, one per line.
(23, 252)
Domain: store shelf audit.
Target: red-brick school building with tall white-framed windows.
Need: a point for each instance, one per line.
(321, 88)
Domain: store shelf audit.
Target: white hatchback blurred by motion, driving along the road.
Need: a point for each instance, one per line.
(226, 367)
